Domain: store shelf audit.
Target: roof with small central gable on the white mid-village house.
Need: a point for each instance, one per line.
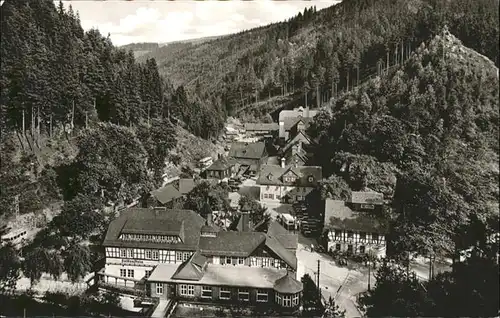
(272, 175)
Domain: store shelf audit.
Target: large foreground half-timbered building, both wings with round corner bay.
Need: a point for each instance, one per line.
(178, 255)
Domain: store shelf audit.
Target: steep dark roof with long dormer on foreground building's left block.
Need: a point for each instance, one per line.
(192, 225)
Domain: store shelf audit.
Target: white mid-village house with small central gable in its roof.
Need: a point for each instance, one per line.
(287, 184)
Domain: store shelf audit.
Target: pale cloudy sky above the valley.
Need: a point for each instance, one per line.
(167, 21)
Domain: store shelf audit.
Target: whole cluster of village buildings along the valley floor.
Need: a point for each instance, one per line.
(180, 254)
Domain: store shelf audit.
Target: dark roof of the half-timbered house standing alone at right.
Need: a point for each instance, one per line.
(341, 217)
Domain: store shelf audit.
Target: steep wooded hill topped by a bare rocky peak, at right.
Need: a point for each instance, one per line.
(426, 134)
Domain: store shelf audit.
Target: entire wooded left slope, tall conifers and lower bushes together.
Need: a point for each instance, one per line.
(58, 85)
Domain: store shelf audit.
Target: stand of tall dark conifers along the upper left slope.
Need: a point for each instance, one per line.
(55, 74)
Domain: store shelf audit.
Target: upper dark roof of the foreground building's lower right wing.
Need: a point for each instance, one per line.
(240, 244)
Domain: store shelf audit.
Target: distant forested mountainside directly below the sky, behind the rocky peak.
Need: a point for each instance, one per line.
(321, 53)
